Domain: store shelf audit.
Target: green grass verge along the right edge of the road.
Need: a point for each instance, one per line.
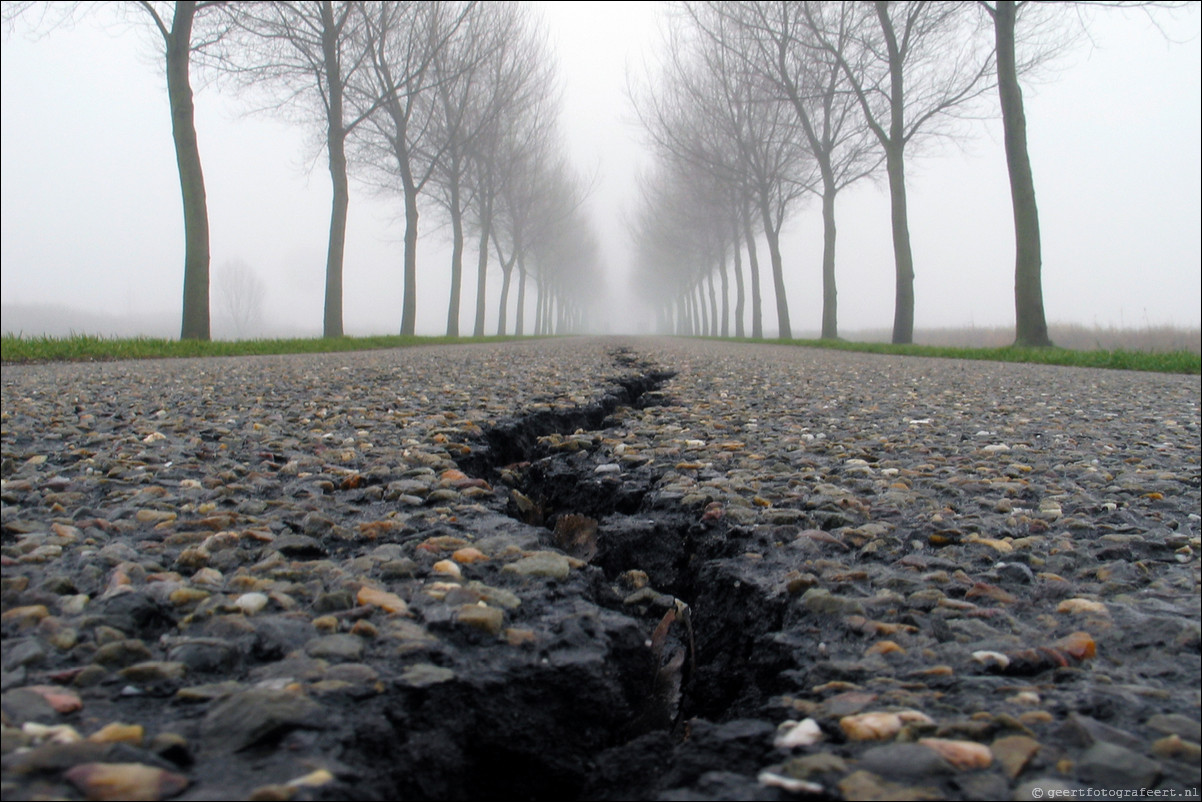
(1158, 363)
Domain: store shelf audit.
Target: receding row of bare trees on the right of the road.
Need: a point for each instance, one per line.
(764, 105)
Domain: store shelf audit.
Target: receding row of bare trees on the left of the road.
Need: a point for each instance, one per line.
(447, 106)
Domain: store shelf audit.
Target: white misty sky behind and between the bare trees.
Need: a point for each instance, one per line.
(92, 213)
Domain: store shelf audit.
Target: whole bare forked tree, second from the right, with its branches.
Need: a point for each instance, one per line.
(912, 67)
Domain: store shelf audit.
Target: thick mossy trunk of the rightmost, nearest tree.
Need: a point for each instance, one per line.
(1031, 326)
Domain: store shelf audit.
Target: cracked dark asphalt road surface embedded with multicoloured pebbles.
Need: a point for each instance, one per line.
(781, 572)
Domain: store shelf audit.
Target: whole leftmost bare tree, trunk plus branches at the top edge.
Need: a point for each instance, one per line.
(183, 29)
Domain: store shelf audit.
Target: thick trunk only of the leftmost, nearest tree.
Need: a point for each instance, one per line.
(195, 319)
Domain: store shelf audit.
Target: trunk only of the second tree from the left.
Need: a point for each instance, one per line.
(336, 146)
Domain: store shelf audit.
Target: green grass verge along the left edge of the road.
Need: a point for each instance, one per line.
(86, 348)
